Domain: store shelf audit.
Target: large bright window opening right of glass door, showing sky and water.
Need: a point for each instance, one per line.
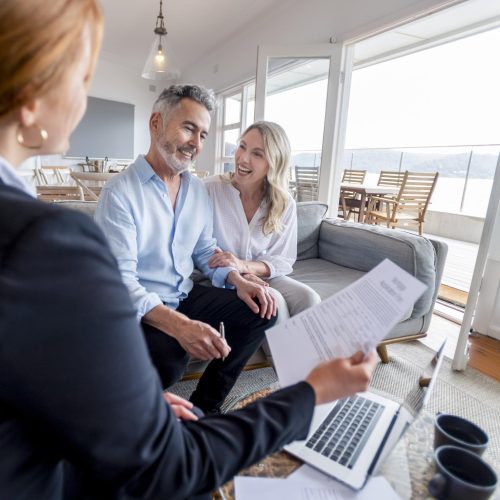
(433, 110)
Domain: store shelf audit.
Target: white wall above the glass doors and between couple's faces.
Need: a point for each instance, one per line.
(297, 22)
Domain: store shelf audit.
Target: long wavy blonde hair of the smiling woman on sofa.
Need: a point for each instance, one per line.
(278, 151)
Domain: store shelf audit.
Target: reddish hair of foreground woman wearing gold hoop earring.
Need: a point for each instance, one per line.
(39, 39)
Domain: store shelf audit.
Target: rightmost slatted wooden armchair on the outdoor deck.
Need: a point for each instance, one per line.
(409, 205)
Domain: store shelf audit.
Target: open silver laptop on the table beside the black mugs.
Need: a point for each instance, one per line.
(350, 438)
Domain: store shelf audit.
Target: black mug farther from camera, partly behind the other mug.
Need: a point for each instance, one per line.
(458, 431)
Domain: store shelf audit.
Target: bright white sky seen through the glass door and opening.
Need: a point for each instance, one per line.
(447, 95)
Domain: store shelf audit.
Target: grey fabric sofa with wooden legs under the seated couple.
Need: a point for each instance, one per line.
(333, 253)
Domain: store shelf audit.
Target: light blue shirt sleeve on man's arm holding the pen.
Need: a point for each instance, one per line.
(118, 225)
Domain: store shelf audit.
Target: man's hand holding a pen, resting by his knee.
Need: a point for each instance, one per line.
(200, 340)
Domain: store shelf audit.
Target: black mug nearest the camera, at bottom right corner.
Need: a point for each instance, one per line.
(461, 475)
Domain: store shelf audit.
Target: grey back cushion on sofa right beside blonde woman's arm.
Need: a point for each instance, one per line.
(309, 216)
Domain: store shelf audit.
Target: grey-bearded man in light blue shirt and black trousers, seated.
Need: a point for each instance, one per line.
(158, 220)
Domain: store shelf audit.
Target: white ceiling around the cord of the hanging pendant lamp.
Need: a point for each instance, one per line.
(194, 27)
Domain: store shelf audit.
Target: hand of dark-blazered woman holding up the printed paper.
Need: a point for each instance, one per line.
(342, 377)
